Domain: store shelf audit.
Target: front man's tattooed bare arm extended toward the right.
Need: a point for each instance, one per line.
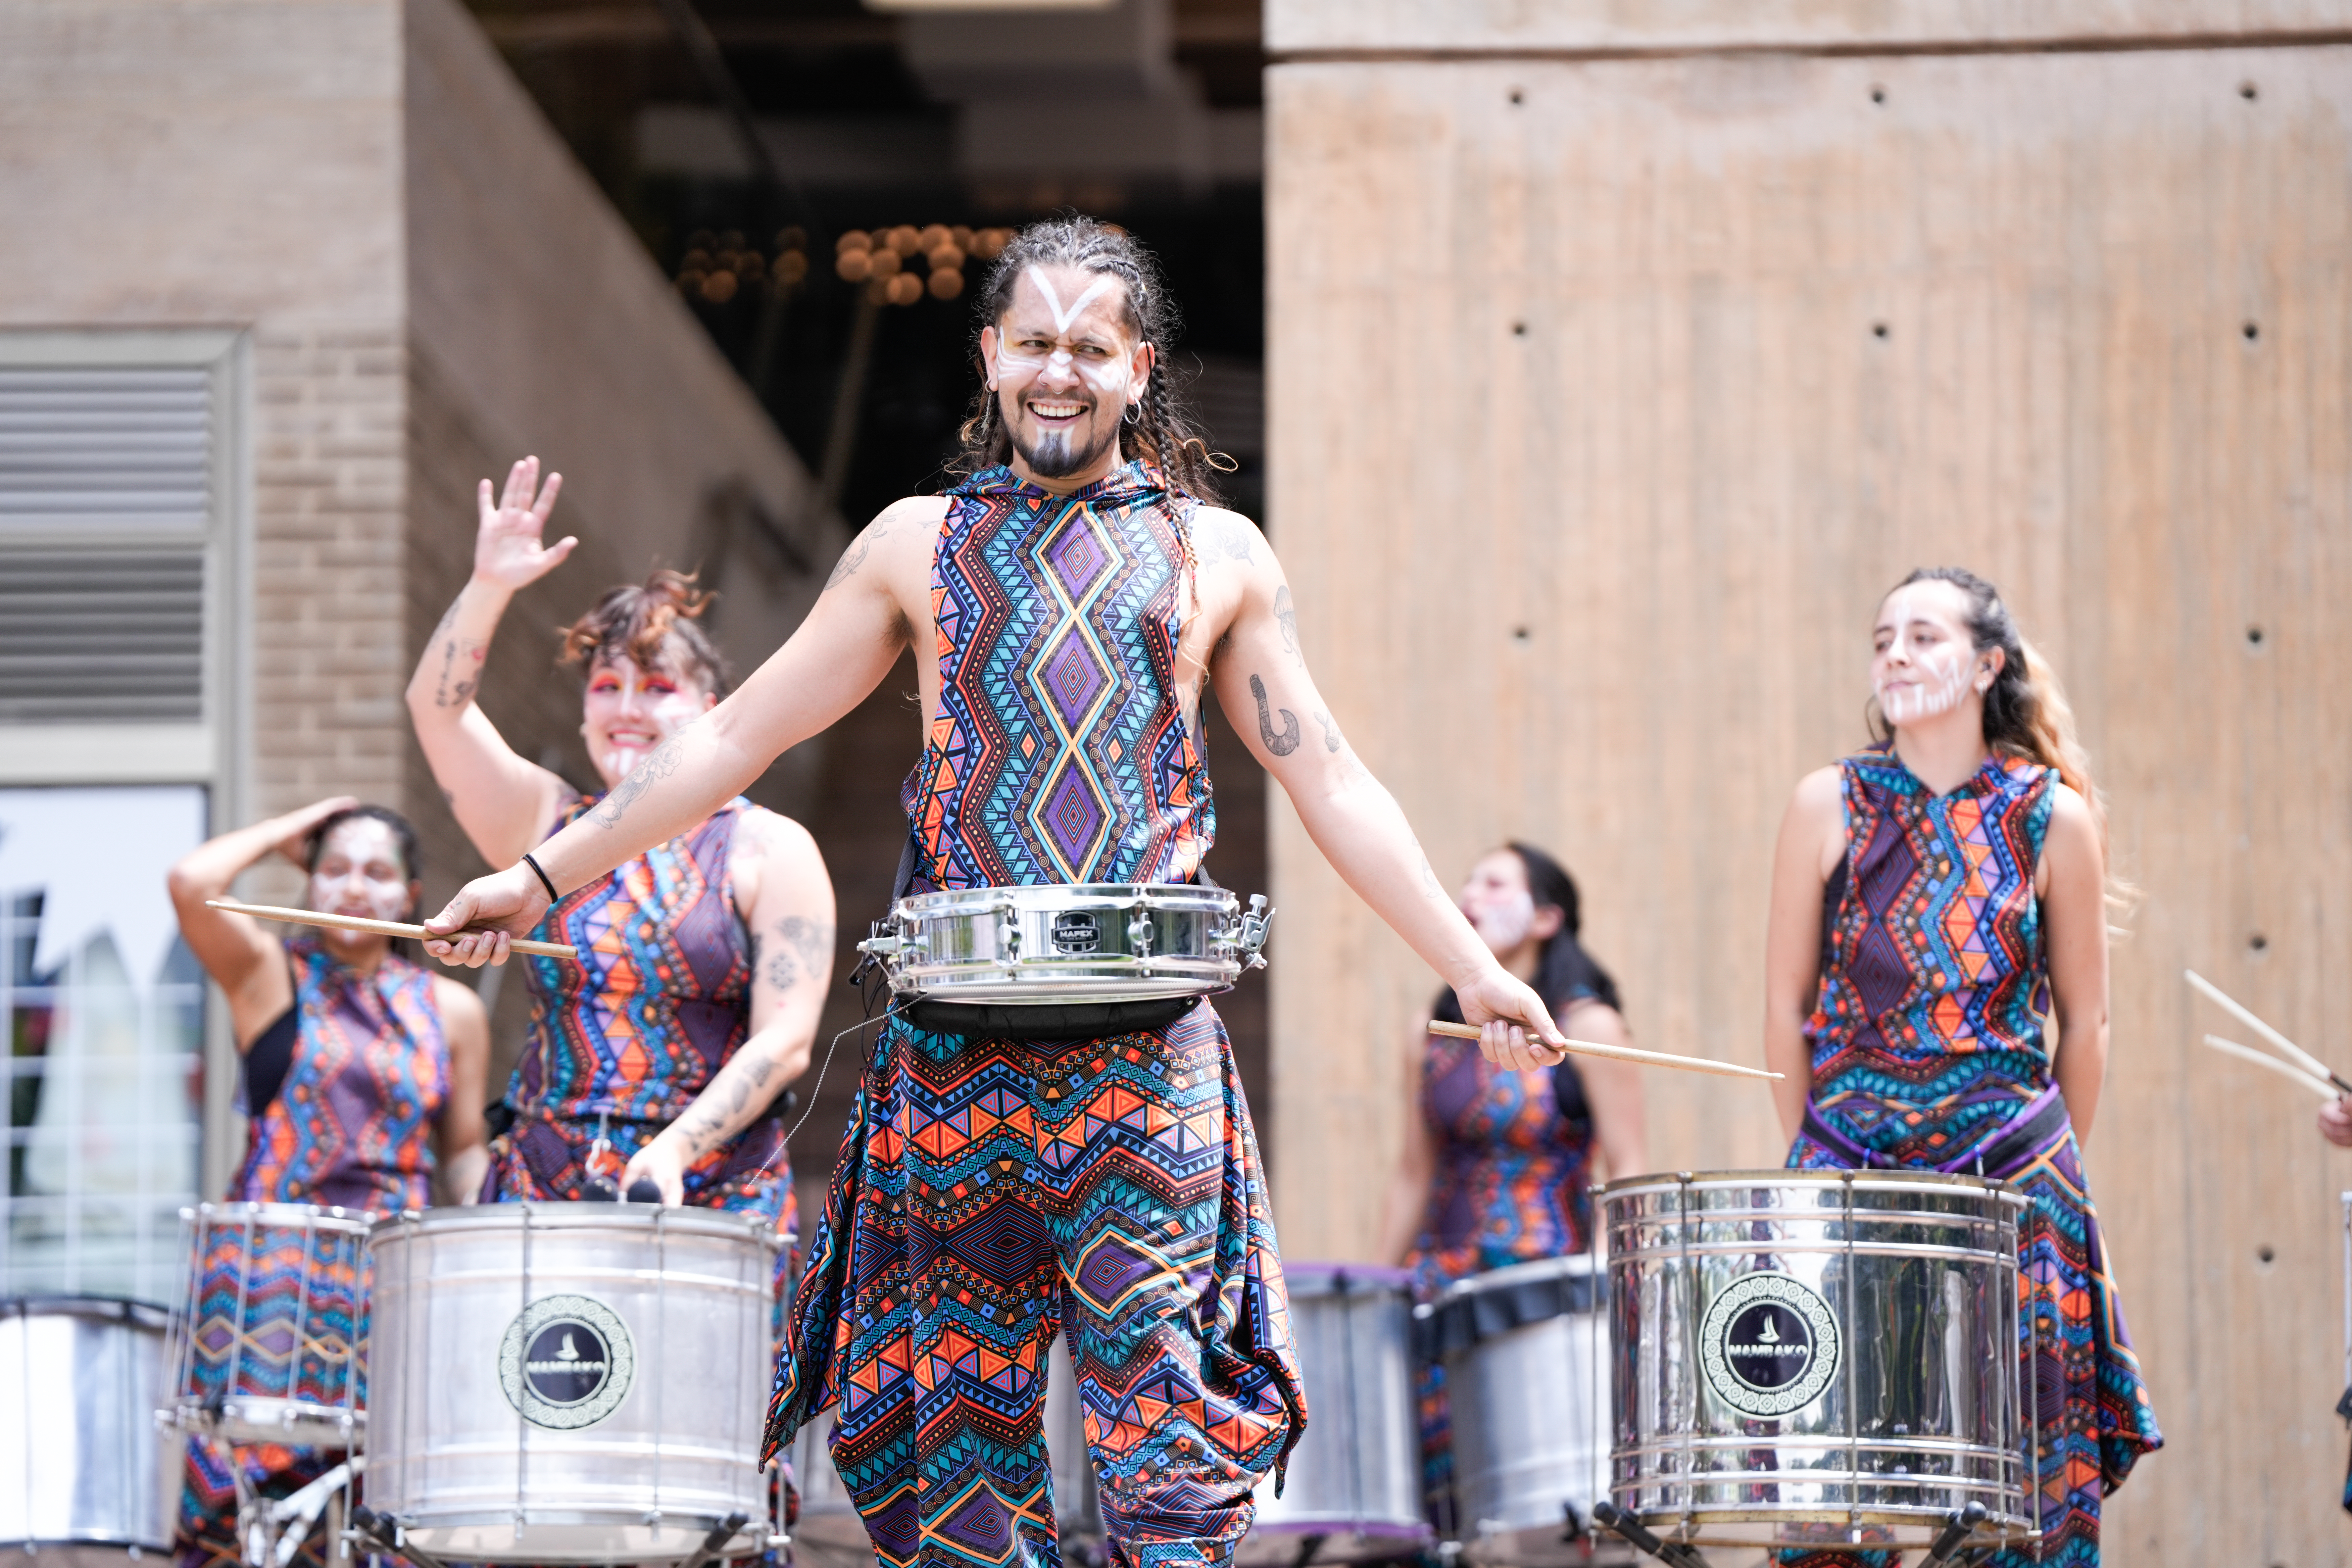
(1262, 678)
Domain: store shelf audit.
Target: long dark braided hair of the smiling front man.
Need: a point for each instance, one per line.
(1163, 431)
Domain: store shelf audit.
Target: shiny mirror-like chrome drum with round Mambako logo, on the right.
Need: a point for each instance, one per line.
(1817, 1358)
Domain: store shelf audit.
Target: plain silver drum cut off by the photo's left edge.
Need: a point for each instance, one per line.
(83, 1470)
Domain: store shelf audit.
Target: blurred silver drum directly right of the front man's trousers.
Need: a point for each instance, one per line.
(1356, 1473)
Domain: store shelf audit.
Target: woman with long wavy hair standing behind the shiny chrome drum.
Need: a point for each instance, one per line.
(1937, 902)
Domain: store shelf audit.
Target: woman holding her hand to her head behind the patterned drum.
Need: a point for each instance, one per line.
(361, 1076)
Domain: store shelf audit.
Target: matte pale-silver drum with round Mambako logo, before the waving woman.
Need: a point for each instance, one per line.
(457, 1463)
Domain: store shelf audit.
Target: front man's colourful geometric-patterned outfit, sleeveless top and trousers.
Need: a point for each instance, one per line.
(994, 1193)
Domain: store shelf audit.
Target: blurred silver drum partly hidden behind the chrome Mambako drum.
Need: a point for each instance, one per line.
(1530, 1414)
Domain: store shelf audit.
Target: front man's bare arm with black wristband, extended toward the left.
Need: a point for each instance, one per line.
(841, 652)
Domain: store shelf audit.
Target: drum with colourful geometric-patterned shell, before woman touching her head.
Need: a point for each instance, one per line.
(267, 1346)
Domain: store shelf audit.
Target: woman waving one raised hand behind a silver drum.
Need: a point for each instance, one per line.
(664, 1052)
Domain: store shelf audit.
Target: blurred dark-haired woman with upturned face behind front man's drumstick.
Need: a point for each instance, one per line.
(1497, 1162)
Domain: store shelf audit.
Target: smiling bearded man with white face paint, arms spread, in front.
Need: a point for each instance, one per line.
(1071, 603)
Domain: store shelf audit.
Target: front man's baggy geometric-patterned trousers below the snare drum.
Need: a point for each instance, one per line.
(994, 1193)
